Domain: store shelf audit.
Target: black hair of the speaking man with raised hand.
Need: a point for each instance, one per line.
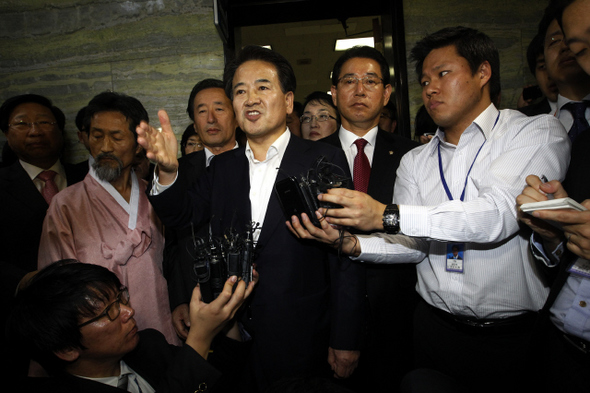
(252, 52)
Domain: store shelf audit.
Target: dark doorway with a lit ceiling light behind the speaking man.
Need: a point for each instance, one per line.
(305, 32)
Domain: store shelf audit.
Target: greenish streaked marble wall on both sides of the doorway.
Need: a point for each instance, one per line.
(156, 50)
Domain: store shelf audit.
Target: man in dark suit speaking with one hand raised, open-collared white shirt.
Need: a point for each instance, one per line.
(308, 305)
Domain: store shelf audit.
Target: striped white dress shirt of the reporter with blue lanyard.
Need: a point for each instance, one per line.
(500, 278)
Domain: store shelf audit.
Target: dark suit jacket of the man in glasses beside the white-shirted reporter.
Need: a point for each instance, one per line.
(391, 289)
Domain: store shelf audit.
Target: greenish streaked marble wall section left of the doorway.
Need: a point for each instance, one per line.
(71, 50)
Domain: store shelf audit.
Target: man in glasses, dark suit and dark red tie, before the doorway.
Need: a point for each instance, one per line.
(360, 90)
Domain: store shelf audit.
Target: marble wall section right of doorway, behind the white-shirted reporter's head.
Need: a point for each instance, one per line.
(511, 24)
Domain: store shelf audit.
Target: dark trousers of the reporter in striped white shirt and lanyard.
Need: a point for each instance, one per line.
(481, 359)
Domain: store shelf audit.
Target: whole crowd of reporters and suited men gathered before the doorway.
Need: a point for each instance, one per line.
(418, 273)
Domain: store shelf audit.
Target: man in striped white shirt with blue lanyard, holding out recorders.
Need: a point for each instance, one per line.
(474, 321)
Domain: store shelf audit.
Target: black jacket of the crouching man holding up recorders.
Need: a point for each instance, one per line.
(165, 367)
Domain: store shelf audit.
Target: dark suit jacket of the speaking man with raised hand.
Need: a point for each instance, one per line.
(307, 298)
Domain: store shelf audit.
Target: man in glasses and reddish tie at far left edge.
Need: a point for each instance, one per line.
(33, 127)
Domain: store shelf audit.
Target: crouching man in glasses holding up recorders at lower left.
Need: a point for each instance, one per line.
(77, 320)
